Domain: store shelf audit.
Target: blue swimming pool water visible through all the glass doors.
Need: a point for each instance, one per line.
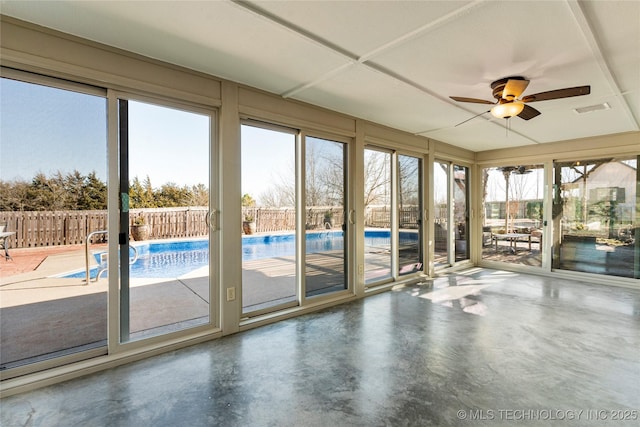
(174, 259)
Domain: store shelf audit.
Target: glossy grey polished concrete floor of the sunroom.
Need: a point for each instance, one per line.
(478, 347)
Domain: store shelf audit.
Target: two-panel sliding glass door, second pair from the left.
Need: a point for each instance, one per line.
(295, 231)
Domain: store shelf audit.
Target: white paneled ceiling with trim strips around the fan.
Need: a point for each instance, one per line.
(392, 62)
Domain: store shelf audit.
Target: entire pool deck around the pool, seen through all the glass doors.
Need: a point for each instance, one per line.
(45, 315)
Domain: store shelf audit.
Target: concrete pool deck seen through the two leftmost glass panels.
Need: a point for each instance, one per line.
(41, 314)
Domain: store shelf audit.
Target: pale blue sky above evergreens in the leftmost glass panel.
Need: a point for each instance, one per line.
(46, 130)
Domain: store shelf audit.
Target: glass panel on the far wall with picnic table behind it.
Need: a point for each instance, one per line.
(513, 203)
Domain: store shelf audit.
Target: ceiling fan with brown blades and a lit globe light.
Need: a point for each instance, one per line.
(507, 92)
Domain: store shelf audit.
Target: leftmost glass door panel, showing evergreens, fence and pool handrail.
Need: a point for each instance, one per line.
(53, 197)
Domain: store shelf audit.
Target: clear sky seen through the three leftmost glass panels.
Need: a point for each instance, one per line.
(47, 130)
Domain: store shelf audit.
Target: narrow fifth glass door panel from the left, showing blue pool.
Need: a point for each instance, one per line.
(377, 200)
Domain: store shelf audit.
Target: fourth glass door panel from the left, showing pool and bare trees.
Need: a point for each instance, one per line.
(325, 223)
